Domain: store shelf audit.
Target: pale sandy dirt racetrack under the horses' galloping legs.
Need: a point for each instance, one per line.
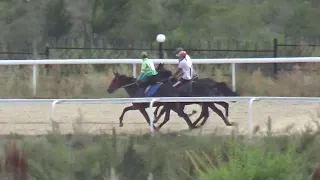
(95, 118)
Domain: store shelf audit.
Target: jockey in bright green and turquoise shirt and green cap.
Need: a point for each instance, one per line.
(147, 76)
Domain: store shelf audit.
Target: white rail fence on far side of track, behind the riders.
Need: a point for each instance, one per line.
(134, 62)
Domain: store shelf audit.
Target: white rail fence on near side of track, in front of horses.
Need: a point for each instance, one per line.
(151, 101)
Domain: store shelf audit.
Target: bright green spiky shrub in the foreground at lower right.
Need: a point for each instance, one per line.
(250, 162)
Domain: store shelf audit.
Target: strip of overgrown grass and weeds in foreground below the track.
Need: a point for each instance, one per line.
(162, 156)
